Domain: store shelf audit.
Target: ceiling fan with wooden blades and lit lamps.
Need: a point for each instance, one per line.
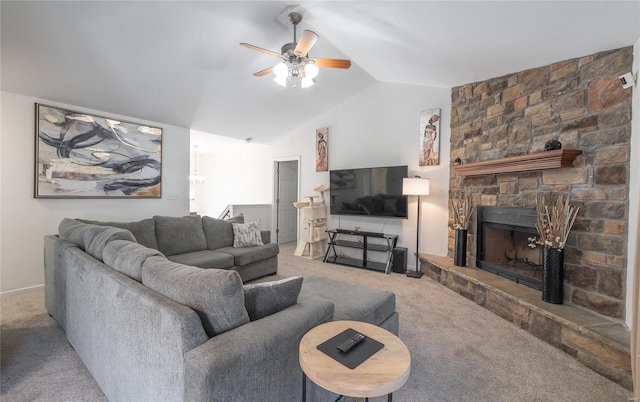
(297, 69)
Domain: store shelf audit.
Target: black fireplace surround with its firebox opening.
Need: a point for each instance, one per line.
(503, 245)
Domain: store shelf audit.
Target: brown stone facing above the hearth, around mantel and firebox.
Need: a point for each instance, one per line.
(581, 103)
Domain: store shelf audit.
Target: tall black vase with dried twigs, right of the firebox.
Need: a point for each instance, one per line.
(555, 218)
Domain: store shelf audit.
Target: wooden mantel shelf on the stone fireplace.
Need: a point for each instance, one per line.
(521, 163)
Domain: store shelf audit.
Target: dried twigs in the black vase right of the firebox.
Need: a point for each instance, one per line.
(555, 218)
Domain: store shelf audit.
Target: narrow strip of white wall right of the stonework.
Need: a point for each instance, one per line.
(634, 188)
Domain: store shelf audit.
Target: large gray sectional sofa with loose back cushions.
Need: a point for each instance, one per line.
(152, 329)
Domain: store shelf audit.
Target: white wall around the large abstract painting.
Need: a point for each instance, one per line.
(25, 220)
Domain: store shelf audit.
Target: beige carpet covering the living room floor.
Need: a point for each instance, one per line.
(459, 351)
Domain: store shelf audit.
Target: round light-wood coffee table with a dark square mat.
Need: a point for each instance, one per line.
(381, 374)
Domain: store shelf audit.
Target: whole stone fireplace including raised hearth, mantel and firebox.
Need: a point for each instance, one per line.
(507, 120)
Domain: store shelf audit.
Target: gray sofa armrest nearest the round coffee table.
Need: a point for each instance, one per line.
(256, 361)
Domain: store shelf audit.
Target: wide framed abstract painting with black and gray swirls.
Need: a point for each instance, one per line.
(80, 155)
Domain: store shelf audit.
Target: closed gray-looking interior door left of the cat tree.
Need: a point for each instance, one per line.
(287, 219)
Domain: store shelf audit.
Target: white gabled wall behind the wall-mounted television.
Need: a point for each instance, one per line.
(380, 127)
